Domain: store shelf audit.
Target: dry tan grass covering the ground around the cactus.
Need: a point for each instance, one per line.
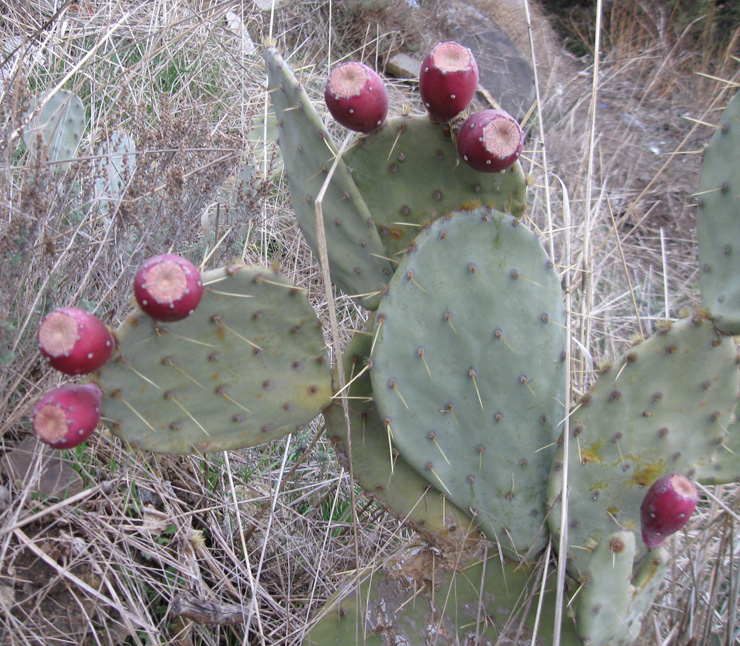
(270, 529)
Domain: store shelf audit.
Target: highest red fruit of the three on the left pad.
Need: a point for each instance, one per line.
(168, 287)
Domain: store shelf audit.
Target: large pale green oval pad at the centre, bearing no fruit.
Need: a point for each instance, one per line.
(468, 369)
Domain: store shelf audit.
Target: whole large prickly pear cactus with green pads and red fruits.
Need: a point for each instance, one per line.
(454, 413)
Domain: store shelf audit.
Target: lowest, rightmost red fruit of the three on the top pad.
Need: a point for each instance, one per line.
(490, 141)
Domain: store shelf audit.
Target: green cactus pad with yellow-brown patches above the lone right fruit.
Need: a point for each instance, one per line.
(663, 408)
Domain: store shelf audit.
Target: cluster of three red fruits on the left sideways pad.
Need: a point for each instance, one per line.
(167, 288)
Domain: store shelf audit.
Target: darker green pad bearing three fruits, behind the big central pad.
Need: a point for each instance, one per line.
(409, 174)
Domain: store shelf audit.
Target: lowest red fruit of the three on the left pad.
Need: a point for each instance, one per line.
(67, 416)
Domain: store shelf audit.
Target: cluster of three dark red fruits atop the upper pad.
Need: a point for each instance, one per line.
(489, 141)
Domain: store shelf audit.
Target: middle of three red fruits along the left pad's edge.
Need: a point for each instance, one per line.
(74, 341)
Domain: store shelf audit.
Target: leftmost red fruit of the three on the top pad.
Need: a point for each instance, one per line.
(356, 97)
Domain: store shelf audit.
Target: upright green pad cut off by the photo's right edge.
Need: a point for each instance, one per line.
(718, 224)
